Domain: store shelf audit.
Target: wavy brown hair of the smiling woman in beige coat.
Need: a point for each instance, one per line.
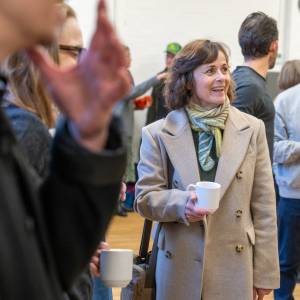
(180, 83)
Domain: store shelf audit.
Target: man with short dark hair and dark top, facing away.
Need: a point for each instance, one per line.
(258, 39)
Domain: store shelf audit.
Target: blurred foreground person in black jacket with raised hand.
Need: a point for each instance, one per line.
(49, 230)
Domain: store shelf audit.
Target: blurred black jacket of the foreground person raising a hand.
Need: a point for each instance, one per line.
(49, 231)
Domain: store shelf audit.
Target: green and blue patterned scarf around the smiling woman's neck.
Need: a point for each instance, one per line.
(209, 124)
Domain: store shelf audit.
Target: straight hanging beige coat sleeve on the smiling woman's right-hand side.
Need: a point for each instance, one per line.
(263, 210)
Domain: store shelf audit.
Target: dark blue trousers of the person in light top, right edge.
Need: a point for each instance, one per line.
(289, 246)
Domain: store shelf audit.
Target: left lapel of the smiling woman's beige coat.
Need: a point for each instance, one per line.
(178, 140)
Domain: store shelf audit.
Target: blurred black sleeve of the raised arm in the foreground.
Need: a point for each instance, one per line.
(78, 199)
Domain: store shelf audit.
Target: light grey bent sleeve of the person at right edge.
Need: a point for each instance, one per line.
(286, 151)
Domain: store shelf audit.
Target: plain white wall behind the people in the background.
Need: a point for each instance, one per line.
(146, 26)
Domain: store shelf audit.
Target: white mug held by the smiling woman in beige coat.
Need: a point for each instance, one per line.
(208, 195)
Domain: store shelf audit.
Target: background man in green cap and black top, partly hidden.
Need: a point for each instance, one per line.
(158, 110)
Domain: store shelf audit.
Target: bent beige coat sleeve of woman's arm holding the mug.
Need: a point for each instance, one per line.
(154, 200)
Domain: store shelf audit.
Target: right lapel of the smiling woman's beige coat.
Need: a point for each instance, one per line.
(235, 143)
